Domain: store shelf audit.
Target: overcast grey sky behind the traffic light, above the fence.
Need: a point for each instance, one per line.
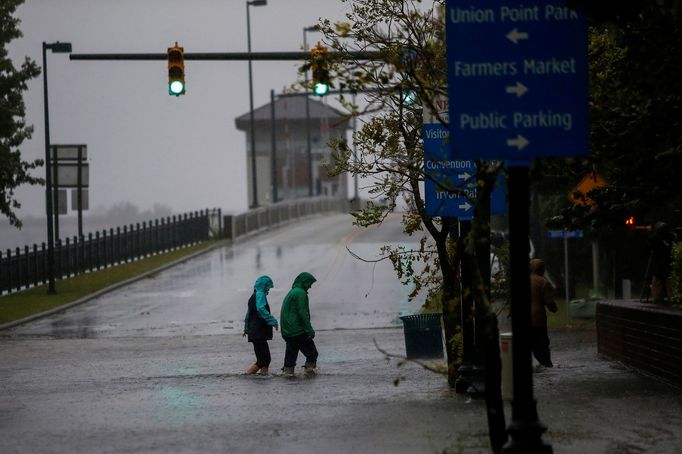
(145, 146)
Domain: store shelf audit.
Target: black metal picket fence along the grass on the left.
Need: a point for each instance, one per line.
(27, 267)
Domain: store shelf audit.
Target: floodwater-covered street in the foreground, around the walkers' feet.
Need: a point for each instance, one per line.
(187, 394)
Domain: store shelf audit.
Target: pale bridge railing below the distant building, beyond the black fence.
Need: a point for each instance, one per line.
(243, 224)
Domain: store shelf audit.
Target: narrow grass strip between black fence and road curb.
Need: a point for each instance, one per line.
(32, 301)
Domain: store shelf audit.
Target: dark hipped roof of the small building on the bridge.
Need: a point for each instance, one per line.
(292, 108)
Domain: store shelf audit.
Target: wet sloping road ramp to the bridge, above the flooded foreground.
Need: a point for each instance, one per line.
(208, 295)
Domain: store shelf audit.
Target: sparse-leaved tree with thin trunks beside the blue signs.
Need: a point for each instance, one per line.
(407, 79)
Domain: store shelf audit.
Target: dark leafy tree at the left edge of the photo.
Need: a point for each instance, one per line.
(13, 128)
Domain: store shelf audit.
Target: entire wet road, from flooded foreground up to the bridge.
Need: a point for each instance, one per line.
(156, 367)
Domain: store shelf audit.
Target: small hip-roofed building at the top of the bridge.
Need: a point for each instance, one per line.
(291, 148)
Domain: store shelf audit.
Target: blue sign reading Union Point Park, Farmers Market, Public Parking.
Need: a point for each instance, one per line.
(517, 79)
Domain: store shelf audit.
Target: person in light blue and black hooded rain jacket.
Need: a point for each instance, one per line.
(258, 325)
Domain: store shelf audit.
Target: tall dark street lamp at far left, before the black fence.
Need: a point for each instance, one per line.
(57, 48)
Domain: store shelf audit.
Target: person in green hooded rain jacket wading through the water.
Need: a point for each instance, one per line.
(297, 331)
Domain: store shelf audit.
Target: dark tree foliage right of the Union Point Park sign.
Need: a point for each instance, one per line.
(635, 118)
